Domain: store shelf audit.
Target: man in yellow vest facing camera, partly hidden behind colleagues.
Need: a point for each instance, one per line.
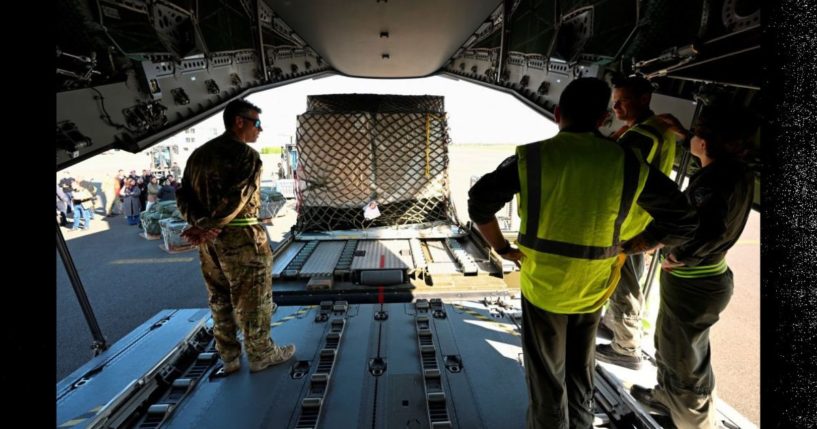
(645, 132)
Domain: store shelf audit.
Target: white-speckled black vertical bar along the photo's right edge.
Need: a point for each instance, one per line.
(789, 216)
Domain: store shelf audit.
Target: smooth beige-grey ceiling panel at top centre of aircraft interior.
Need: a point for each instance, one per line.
(422, 35)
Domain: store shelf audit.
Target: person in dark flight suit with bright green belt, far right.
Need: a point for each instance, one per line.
(696, 283)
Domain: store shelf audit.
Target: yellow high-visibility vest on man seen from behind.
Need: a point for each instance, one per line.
(576, 191)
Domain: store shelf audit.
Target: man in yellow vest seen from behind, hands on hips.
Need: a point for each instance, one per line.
(575, 191)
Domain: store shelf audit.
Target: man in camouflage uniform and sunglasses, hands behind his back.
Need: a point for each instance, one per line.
(220, 199)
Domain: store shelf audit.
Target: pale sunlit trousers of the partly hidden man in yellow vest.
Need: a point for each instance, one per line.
(623, 315)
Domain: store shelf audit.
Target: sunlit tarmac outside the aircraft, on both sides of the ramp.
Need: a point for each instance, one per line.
(128, 279)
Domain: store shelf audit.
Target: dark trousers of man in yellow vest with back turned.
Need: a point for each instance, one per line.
(559, 362)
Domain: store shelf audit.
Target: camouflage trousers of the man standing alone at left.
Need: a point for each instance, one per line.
(237, 272)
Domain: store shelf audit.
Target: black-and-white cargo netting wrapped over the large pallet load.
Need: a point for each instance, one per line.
(359, 150)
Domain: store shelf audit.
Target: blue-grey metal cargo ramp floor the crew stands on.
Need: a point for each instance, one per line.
(425, 364)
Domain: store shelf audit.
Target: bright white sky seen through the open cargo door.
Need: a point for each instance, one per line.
(476, 115)
